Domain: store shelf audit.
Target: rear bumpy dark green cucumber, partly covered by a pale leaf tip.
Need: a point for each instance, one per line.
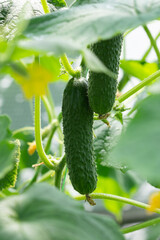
(102, 88)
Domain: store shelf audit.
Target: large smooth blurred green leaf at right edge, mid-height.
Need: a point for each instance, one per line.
(138, 147)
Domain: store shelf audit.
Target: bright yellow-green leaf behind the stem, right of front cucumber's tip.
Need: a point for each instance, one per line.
(109, 185)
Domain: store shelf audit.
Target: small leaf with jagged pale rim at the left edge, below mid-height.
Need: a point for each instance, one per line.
(11, 158)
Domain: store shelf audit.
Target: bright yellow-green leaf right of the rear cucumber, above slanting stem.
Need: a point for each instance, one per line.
(138, 69)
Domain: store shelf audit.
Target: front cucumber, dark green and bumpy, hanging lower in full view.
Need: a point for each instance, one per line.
(78, 136)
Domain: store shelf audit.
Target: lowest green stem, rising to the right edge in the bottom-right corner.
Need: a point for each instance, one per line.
(140, 226)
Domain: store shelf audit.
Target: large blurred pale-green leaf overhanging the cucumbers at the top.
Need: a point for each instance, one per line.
(77, 27)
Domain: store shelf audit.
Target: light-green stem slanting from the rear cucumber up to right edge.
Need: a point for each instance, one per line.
(142, 84)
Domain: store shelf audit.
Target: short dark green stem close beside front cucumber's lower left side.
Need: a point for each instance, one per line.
(58, 172)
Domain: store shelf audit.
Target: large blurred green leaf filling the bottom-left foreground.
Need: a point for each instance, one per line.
(43, 212)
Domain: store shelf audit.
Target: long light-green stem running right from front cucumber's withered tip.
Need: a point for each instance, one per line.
(117, 198)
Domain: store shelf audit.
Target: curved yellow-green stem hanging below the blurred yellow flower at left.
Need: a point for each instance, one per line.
(38, 139)
